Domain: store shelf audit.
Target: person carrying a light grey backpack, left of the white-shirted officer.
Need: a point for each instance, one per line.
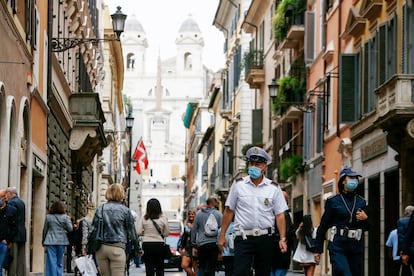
(204, 236)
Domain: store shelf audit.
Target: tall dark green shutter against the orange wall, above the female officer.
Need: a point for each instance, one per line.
(347, 88)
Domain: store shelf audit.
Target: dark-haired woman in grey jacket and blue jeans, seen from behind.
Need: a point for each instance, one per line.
(55, 237)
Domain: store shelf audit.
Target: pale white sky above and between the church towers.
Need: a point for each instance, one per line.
(161, 20)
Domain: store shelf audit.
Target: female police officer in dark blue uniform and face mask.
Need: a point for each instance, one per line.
(346, 215)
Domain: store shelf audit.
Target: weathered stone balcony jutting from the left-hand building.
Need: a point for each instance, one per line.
(87, 137)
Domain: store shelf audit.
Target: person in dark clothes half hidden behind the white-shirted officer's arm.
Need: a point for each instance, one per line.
(281, 261)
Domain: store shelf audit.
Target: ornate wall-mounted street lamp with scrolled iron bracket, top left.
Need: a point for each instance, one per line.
(61, 44)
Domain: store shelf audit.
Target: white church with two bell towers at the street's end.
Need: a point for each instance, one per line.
(159, 100)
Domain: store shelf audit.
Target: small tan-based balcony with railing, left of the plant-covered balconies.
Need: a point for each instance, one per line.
(253, 64)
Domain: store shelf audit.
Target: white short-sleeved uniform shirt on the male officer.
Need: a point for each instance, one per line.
(255, 206)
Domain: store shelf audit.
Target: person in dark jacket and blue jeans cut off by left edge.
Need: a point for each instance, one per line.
(7, 229)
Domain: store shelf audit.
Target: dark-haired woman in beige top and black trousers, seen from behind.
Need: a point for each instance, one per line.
(153, 227)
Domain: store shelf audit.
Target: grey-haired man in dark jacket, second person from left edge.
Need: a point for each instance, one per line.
(18, 265)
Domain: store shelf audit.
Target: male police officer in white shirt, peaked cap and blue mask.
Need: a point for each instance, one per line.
(255, 204)
